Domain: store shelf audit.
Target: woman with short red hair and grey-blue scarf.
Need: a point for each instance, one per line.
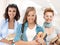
(48, 27)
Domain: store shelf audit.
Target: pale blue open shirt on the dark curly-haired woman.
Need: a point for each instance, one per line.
(4, 30)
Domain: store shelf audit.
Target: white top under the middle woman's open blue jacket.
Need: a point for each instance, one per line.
(30, 33)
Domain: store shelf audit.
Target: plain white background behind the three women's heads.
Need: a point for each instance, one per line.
(40, 5)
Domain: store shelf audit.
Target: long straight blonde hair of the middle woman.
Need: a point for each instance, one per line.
(25, 17)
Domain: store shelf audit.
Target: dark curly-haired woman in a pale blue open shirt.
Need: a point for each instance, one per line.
(9, 25)
